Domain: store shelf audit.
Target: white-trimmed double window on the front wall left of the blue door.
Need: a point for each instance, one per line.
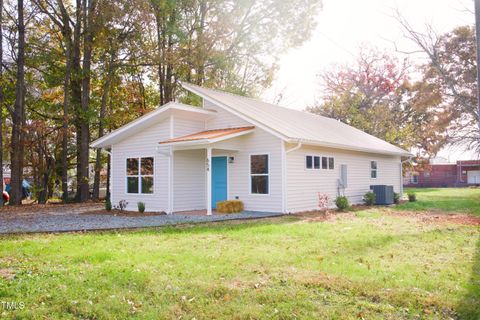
(140, 175)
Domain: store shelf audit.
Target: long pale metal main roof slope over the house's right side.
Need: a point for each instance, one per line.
(298, 126)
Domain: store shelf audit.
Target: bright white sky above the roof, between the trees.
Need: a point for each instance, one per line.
(344, 26)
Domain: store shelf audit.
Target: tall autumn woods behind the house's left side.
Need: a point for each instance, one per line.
(73, 70)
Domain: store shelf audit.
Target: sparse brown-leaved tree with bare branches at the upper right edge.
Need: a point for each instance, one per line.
(451, 68)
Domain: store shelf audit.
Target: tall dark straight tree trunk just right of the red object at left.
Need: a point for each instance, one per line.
(18, 116)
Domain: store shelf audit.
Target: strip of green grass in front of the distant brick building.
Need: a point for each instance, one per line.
(464, 200)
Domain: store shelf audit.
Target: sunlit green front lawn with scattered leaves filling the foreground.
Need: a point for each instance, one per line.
(369, 264)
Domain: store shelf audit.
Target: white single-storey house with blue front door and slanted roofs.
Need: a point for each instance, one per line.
(180, 157)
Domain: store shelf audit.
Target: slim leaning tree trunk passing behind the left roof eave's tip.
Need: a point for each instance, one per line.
(103, 109)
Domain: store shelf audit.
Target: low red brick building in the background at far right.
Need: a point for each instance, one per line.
(463, 173)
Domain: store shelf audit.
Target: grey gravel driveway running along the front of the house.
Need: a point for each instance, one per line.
(72, 219)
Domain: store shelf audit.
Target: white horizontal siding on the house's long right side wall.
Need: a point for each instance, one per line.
(304, 185)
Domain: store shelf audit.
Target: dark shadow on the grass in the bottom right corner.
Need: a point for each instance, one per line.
(469, 307)
